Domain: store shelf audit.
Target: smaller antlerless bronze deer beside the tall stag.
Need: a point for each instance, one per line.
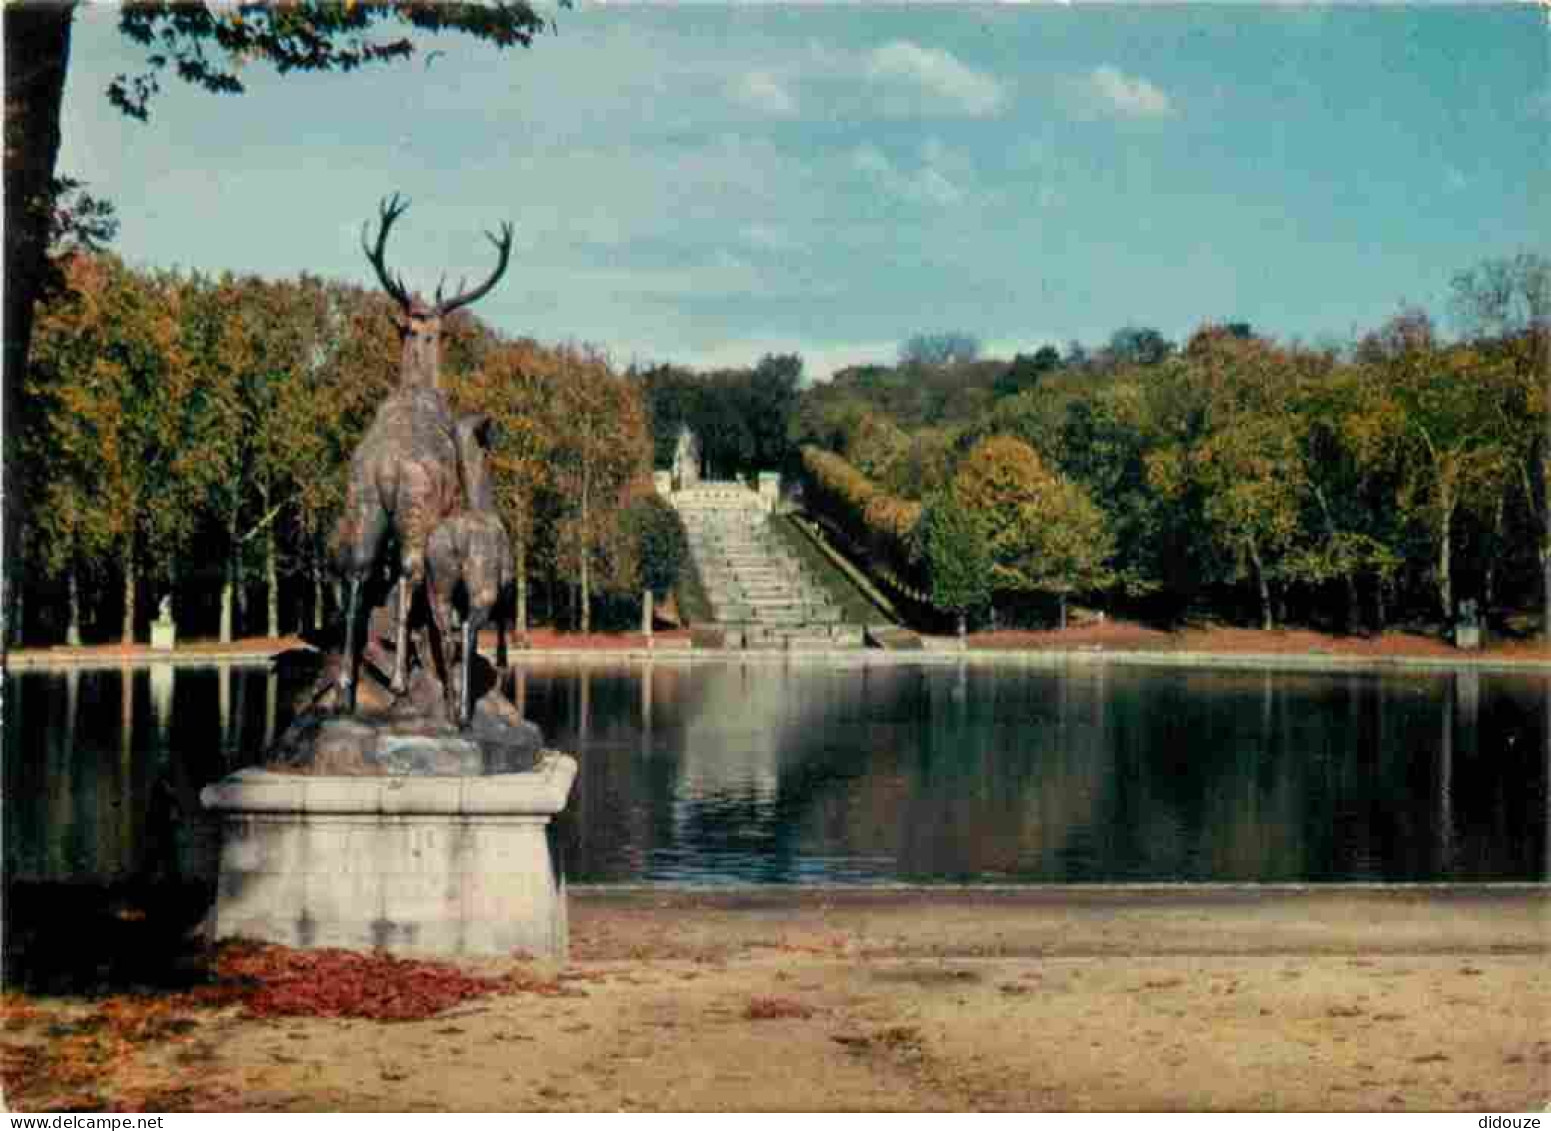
(471, 552)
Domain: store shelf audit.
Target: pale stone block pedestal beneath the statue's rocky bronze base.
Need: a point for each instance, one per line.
(447, 866)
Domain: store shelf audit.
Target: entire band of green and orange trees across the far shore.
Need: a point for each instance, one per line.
(181, 421)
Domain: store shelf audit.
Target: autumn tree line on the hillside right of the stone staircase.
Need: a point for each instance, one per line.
(1352, 488)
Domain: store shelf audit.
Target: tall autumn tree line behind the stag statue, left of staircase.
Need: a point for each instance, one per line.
(190, 437)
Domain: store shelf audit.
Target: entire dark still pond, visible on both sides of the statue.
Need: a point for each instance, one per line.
(770, 773)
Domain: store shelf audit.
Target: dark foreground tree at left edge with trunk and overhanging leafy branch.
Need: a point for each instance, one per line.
(204, 46)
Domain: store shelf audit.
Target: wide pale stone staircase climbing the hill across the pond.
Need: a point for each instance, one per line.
(759, 590)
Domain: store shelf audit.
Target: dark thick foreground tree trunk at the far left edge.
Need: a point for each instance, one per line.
(36, 60)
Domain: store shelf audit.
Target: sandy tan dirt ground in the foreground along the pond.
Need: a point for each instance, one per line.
(933, 1000)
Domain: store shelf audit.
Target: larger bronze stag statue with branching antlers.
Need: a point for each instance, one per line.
(404, 474)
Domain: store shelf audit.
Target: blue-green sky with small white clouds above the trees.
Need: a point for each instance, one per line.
(706, 184)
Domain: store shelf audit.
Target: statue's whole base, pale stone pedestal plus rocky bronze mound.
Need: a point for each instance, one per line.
(392, 828)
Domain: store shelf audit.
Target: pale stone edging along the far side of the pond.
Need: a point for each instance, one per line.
(933, 655)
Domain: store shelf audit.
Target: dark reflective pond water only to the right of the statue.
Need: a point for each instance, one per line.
(1090, 773)
